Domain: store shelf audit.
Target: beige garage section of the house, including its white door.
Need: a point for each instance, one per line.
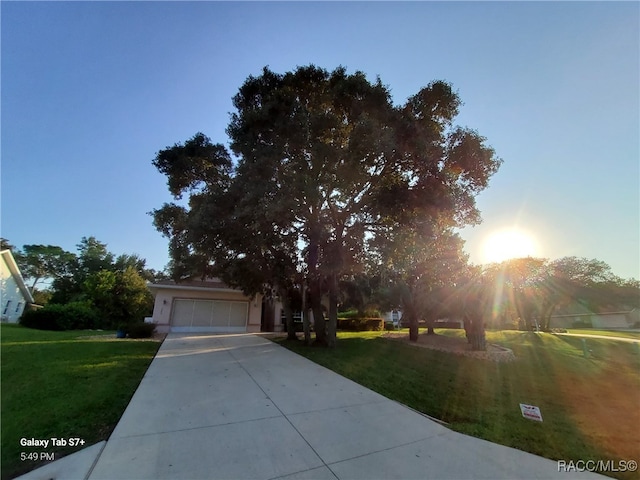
(208, 306)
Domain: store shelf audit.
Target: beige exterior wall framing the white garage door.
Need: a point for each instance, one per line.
(163, 305)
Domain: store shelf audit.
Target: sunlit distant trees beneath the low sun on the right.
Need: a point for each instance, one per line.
(520, 293)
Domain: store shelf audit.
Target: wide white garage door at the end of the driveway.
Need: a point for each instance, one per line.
(221, 316)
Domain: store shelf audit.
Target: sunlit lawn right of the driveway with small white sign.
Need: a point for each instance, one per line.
(589, 405)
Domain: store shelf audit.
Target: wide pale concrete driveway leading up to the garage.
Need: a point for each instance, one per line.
(242, 407)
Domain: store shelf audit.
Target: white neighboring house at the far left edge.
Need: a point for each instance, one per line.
(14, 294)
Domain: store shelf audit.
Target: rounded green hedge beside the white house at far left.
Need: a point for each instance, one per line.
(72, 316)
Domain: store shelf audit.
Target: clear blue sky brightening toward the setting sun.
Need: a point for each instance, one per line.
(91, 91)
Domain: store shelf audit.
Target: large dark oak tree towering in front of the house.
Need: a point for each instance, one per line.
(325, 163)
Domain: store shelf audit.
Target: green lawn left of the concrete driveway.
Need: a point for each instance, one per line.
(64, 384)
